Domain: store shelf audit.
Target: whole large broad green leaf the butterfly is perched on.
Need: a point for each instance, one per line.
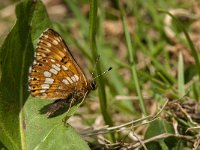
(21, 124)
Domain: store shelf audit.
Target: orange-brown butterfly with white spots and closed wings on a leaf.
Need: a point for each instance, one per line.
(55, 75)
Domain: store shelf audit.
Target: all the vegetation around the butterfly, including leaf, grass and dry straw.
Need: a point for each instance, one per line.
(149, 100)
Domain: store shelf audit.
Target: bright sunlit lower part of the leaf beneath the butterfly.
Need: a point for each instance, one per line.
(46, 134)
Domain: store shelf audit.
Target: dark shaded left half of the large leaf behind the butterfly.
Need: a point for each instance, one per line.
(14, 54)
